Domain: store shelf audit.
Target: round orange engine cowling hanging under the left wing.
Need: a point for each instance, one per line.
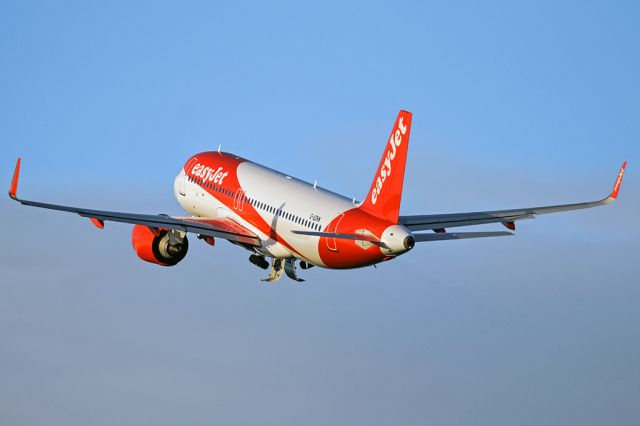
(158, 248)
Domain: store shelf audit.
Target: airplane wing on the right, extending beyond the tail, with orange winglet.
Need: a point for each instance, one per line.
(439, 222)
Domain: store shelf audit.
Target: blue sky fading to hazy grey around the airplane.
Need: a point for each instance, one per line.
(514, 105)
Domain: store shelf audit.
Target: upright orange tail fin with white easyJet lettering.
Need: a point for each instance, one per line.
(385, 194)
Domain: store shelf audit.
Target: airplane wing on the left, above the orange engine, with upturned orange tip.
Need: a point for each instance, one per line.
(220, 228)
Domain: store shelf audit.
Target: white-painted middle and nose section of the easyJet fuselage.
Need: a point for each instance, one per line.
(286, 203)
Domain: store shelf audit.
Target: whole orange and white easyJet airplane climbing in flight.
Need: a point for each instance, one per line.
(294, 223)
